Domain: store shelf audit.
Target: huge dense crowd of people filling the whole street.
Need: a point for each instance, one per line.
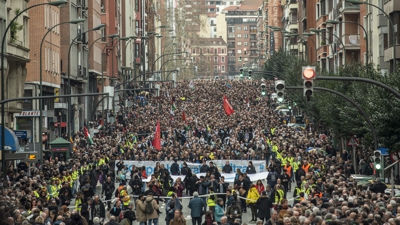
(302, 187)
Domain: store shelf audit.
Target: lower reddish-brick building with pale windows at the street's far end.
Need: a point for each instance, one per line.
(209, 55)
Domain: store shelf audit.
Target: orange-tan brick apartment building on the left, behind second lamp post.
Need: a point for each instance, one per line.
(45, 18)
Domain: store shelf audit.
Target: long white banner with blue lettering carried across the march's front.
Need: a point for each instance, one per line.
(259, 165)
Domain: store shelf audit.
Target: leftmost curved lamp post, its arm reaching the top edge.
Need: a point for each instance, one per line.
(59, 3)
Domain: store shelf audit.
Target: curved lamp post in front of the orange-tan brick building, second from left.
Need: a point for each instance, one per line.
(77, 21)
